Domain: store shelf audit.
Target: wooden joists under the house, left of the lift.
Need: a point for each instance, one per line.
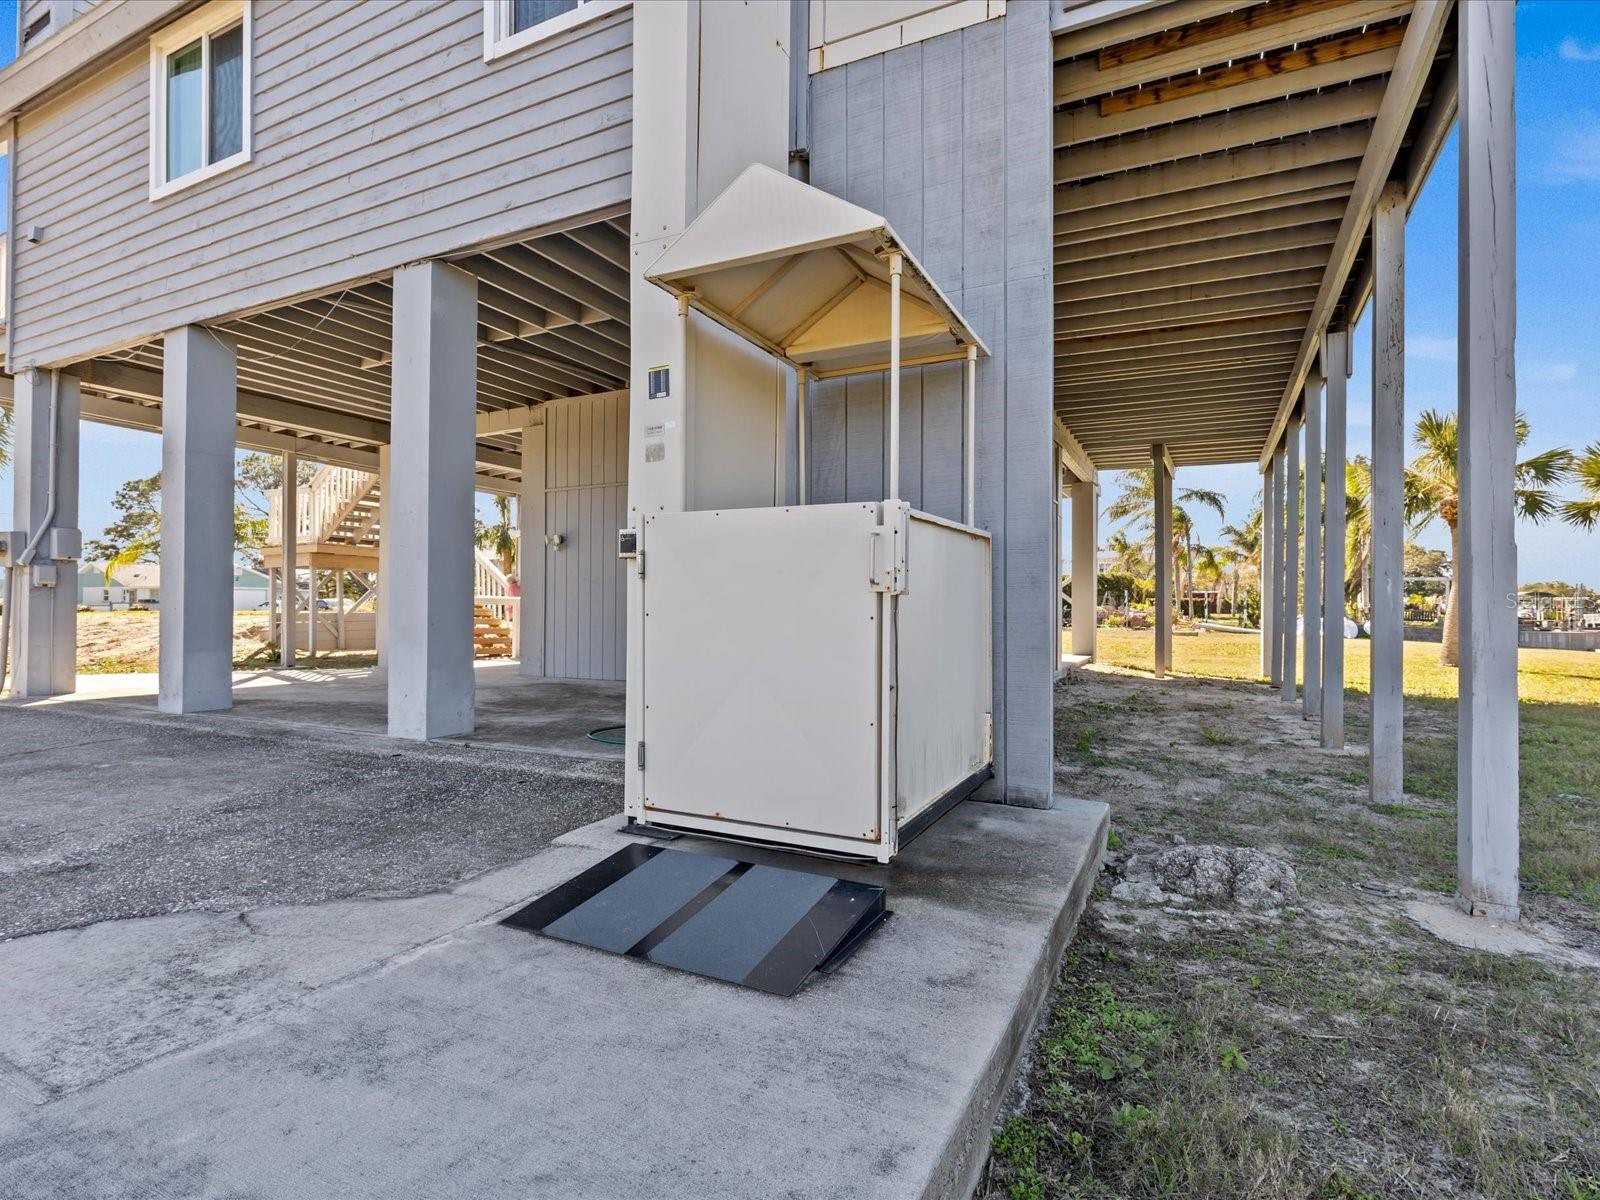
(314, 372)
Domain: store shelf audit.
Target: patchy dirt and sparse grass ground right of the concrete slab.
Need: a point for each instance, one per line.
(1327, 1046)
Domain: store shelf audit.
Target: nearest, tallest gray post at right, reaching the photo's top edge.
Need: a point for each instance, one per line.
(1487, 785)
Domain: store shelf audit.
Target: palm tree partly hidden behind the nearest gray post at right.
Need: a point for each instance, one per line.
(1433, 489)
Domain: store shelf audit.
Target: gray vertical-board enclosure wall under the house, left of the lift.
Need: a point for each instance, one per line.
(586, 500)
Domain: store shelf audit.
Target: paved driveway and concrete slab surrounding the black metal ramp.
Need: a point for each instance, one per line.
(244, 961)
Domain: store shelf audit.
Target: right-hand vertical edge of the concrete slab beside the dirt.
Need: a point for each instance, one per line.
(967, 1146)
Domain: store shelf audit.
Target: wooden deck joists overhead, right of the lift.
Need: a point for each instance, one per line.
(1212, 162)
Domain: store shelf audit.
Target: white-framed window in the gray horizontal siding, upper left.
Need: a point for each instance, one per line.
(201, 97)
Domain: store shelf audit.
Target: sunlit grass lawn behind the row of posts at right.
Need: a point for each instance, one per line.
(1561, 746)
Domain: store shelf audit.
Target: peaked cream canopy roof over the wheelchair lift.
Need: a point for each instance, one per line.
(806, 276)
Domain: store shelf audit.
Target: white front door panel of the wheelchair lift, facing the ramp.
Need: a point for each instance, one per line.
(761, 673)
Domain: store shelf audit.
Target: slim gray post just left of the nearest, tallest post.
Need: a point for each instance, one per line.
(1386, 775)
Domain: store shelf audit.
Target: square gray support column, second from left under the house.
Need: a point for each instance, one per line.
(199, 417)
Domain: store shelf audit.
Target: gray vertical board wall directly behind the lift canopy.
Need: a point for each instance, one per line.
(951, 140)
